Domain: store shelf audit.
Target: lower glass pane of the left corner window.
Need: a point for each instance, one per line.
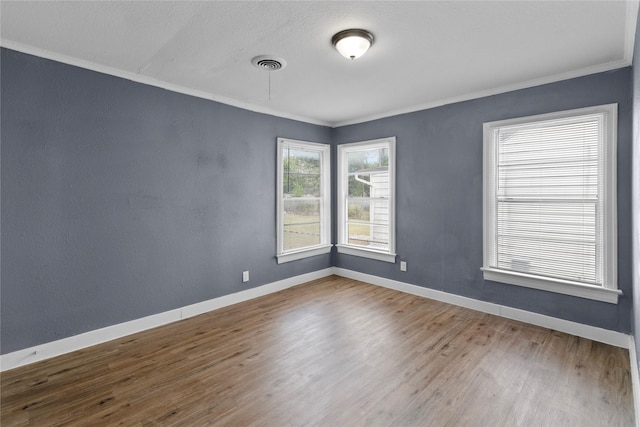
(301, 224)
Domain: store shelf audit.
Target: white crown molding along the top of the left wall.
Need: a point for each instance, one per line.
(139, 78)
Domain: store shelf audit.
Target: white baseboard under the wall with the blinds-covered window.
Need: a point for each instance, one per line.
(606, 336)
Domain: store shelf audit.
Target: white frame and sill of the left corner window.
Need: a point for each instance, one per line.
(325, 201)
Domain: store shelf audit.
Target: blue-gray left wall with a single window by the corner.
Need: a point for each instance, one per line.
(121, 200)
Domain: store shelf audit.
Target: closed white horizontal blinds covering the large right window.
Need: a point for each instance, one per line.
(549, 221)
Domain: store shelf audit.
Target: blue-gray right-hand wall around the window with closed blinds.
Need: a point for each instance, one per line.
(439, 195)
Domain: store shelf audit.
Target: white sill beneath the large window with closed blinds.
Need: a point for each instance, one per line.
(566, 287)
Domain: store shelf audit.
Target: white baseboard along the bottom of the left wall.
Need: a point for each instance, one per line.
(98, 336)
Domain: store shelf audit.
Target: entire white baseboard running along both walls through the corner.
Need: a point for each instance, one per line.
(98, 336)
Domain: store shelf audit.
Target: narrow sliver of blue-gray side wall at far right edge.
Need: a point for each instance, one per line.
(636, 187)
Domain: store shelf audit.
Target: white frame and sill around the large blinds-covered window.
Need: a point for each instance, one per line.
(609, 291)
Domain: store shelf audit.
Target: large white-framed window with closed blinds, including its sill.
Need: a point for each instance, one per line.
(550, 202)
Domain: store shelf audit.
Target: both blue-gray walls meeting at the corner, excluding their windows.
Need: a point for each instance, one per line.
(121, 200)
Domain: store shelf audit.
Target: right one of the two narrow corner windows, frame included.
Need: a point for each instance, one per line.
(366, 199)
